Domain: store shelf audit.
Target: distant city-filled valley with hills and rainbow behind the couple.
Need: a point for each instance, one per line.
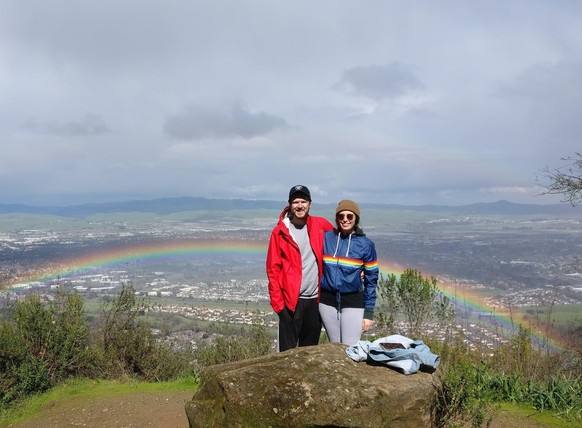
(204, 260)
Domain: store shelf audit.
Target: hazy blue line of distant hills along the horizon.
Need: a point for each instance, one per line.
(173, 205)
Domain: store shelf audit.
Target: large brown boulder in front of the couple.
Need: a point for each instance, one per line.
(310, 387)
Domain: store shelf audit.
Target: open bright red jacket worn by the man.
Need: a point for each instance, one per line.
(284, 269)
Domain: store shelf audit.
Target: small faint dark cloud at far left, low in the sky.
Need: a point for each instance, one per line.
(89, 125)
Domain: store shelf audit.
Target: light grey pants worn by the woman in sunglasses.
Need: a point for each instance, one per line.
(344, 326)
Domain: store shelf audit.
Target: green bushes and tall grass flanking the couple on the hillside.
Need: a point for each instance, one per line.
(48, 343)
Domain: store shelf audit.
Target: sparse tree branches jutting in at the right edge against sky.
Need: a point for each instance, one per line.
(566, 180)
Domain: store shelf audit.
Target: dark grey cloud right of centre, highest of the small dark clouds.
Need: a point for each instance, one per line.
(379, 82)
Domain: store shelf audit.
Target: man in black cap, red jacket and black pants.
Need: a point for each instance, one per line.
(294, 265)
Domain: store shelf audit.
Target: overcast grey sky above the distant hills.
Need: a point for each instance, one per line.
(407, 102)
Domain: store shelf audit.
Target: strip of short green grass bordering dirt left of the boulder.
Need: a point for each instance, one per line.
(32, 407)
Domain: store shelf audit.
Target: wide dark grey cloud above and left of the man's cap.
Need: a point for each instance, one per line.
(196, 122)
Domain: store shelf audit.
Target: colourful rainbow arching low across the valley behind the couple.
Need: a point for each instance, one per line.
(130, 255)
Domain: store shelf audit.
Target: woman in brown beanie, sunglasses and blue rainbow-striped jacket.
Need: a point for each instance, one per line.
(350, 276)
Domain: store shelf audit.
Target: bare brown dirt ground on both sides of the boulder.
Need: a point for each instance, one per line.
(156, 410)
